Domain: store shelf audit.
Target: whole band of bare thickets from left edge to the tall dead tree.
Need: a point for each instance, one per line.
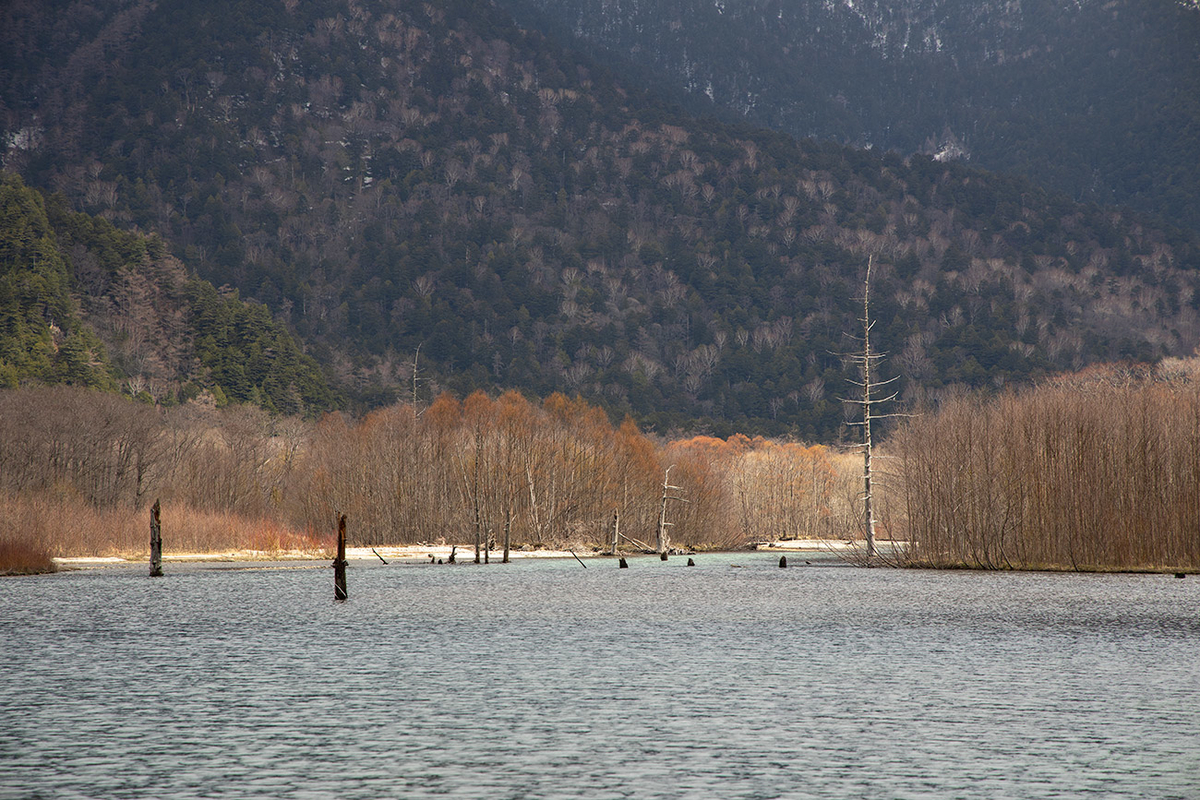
(79, 470)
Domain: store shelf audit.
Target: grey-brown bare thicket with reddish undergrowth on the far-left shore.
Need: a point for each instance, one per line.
(80, 468)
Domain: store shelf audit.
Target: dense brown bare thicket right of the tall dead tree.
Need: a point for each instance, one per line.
(1099, 471)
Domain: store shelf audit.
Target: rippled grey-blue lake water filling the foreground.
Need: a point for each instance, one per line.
(542, 679)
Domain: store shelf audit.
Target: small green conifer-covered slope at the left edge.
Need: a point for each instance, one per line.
(85, 304)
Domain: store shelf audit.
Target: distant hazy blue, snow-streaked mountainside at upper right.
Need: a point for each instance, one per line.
(1099, 99)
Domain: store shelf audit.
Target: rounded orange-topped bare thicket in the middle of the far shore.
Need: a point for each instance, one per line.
(549, 474)
